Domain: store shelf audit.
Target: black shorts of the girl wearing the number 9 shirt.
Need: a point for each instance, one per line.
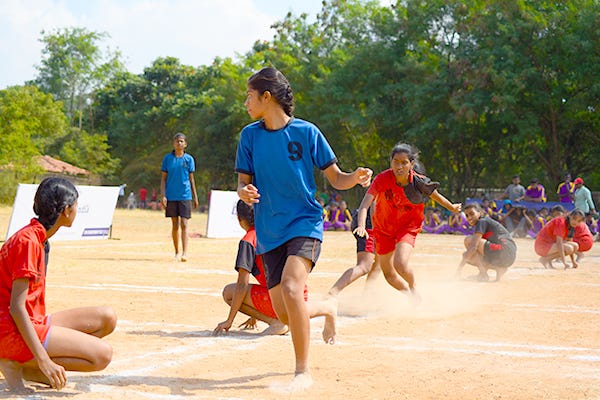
(274, 260)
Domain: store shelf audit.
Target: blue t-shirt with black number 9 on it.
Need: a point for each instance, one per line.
(282, 165)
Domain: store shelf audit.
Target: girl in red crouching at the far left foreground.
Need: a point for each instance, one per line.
(35, 346)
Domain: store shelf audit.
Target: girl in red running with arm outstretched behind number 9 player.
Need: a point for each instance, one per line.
(399, 194)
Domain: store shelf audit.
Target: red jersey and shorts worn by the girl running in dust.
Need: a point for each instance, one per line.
(396, 218)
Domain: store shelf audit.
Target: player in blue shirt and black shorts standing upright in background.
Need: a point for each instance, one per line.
(179, 190)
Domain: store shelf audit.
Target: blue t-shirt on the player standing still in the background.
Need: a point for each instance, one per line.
(178, 171)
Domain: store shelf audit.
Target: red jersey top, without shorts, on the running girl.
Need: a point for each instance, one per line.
(394, 212)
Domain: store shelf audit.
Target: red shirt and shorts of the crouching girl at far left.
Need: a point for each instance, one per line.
(23, 256)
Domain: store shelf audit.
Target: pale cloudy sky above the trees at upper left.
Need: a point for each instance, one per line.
(194, 31)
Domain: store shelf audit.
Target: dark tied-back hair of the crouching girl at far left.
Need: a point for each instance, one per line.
(53, 195)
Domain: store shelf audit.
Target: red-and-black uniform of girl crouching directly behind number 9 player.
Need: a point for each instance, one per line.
(248, 260)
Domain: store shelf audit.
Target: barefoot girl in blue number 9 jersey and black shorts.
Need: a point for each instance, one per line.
(275, 163)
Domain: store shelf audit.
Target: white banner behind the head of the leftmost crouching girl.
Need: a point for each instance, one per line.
(95, 209)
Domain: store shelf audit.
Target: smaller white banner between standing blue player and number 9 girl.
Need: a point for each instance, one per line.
(222, 215)
